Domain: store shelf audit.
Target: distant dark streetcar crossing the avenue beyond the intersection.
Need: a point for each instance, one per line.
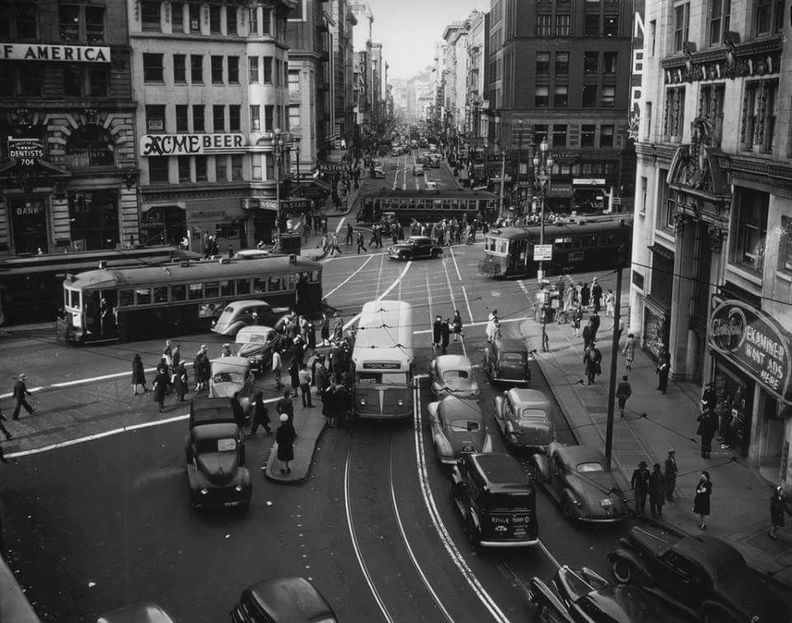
(431, 205)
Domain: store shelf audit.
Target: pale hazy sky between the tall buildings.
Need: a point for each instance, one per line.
(408, 29)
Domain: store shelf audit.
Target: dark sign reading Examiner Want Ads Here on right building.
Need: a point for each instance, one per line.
(754, 342)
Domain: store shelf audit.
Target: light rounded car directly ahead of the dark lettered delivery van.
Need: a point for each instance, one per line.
(458, 426)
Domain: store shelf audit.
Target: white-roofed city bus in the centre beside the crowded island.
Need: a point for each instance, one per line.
(383, 360)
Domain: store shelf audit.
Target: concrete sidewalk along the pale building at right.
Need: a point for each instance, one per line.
(653, 423)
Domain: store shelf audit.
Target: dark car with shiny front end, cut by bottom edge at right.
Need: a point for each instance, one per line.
(584, 596)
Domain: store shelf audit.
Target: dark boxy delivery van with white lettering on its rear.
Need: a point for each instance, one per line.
(496, 500)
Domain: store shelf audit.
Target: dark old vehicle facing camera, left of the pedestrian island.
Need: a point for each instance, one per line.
(215, 456)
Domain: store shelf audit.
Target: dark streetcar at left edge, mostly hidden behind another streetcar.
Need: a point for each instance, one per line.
(31, 288)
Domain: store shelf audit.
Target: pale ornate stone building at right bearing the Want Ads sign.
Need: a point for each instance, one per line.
(712, 250)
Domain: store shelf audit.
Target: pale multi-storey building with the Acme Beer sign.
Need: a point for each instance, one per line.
(211, 79)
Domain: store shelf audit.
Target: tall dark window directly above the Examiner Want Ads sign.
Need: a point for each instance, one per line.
(750, 228)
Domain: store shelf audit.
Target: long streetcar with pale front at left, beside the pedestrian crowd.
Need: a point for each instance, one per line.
(156, 301)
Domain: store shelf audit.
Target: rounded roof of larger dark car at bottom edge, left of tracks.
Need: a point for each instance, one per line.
(292, 599)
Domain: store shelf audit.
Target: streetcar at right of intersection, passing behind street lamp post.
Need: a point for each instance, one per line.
(587, 244)
